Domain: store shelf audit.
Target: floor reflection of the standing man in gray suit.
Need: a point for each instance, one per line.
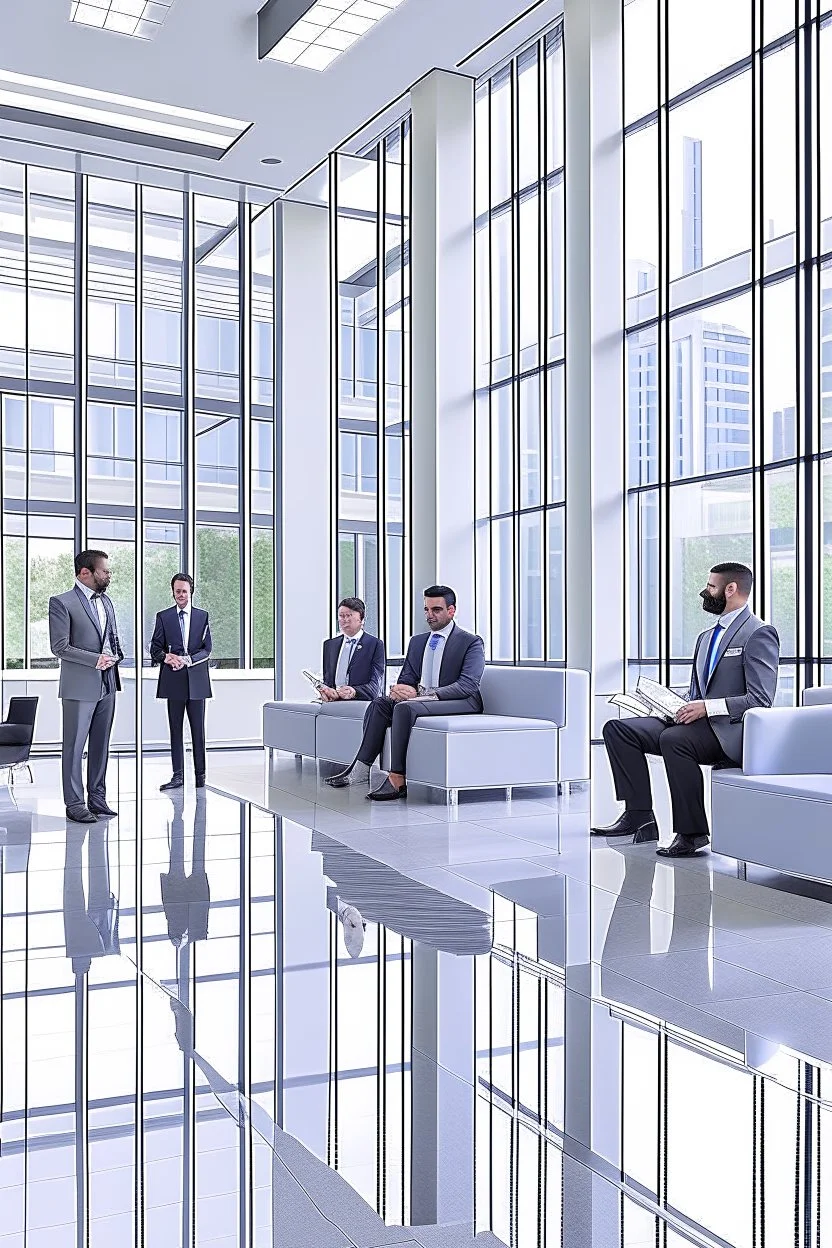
(90, 923)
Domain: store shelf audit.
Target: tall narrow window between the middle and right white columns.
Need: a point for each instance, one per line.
(521, 489)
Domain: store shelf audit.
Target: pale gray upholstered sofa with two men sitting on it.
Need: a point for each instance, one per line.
(535, 731)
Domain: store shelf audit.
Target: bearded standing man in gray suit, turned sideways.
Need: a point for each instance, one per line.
(84, 636)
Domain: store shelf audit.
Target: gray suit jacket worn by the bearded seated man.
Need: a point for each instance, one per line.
(745, 676)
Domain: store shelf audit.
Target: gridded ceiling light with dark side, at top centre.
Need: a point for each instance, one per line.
(314, 36)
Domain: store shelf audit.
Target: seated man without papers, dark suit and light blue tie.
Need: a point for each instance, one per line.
(442, 675)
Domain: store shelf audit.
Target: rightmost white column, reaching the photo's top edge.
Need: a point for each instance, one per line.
(596, 437)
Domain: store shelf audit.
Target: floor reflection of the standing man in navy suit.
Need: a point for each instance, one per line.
(186, 898)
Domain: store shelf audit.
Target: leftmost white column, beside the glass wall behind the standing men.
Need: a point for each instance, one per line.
(305, 512)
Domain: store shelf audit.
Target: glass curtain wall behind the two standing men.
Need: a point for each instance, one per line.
(138, 402)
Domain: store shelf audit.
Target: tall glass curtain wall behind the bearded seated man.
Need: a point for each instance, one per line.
(728, 158)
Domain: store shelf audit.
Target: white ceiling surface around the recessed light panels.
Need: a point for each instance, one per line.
(205, 57)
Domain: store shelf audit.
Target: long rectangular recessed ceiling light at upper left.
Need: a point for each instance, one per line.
(43, 103)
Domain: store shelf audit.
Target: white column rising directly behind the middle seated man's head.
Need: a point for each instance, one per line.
(442, 246)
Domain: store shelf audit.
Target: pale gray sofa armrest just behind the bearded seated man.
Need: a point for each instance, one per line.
(788, 741)
